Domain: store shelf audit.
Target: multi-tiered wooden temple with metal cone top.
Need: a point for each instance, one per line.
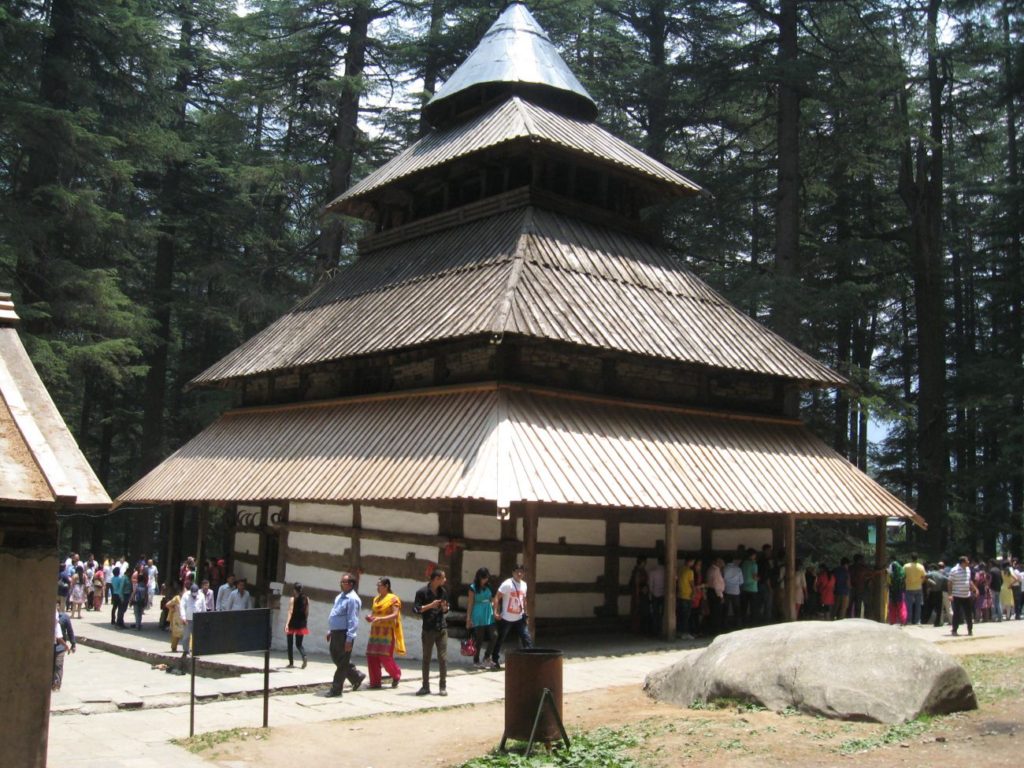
(513, 370)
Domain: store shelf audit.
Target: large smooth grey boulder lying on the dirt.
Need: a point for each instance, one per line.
(848, 670)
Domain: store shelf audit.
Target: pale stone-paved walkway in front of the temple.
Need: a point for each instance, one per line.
(119, 707)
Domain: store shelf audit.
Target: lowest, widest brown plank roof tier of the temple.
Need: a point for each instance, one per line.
(502, 444)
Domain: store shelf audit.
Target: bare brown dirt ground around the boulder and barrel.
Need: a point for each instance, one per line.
(670, 737)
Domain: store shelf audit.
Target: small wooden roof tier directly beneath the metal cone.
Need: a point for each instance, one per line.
(516, 120)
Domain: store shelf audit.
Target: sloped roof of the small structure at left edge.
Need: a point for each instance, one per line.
(40, 463)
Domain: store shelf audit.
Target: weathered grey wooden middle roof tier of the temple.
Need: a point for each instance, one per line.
(525, 272)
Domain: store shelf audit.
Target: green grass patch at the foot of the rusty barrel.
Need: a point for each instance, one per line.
(605, 748)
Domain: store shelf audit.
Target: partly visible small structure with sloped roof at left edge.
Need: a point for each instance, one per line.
(42, 474)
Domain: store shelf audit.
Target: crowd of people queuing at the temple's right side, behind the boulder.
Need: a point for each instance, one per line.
(747, 589)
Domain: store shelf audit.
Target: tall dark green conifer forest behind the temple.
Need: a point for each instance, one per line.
(164, 165)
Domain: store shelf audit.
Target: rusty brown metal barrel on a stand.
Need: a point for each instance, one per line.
(528, 673)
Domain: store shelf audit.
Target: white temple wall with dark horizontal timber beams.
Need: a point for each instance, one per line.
(406, 545)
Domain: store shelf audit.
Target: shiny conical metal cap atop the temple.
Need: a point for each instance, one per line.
(516, 58)
